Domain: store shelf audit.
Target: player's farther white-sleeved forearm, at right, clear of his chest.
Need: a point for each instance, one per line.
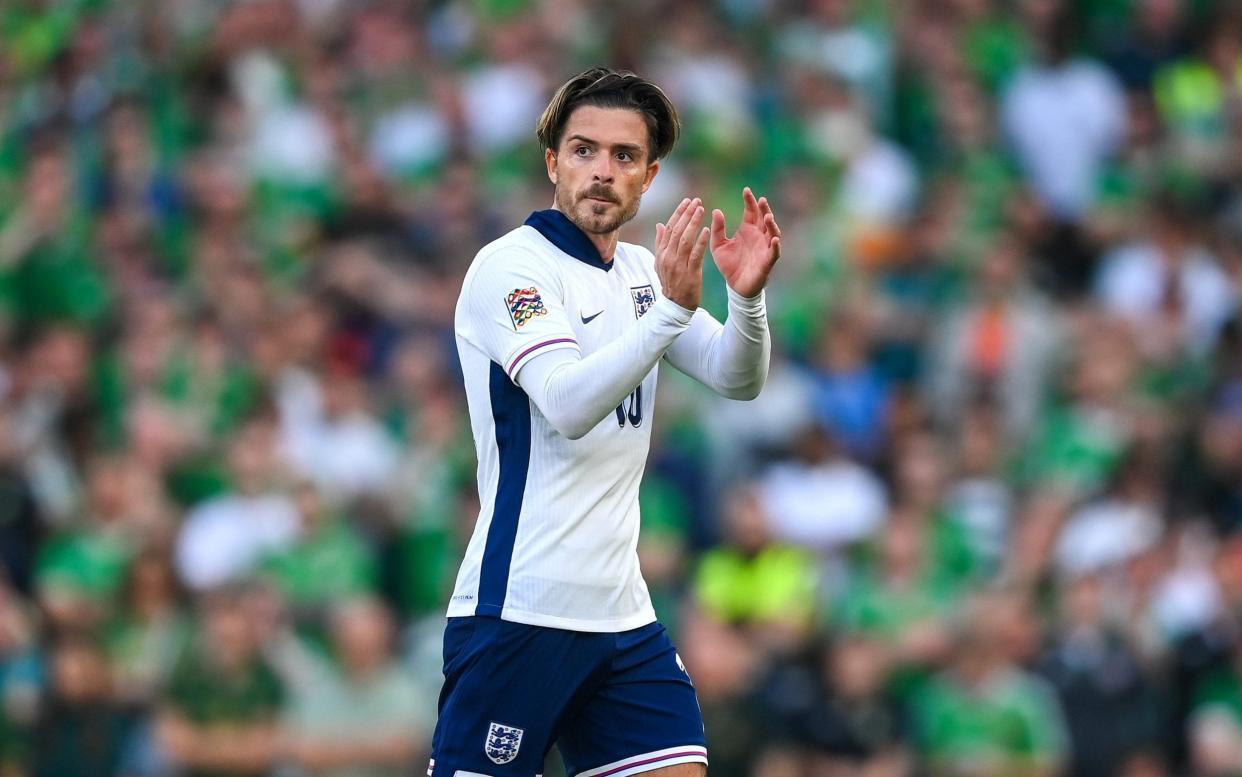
(732, 358)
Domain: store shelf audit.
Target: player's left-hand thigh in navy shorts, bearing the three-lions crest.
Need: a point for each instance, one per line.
(506, 688)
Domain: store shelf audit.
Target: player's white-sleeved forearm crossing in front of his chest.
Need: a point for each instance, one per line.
(576, 393)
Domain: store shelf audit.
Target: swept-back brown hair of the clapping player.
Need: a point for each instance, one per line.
(608, 89)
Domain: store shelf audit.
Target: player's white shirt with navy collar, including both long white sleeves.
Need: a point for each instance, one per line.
(557, 539)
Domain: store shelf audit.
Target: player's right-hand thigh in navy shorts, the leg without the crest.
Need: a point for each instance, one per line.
(644, 716)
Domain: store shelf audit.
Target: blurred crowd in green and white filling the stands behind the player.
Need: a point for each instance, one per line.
(986, 519)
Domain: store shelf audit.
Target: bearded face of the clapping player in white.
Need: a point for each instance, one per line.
(602, 168)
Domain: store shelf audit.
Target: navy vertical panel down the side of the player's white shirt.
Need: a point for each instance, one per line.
(511, 414)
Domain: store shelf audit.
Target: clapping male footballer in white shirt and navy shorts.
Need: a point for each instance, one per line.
(561, 328)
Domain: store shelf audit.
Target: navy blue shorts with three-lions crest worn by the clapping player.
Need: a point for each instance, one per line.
(615, 704)
